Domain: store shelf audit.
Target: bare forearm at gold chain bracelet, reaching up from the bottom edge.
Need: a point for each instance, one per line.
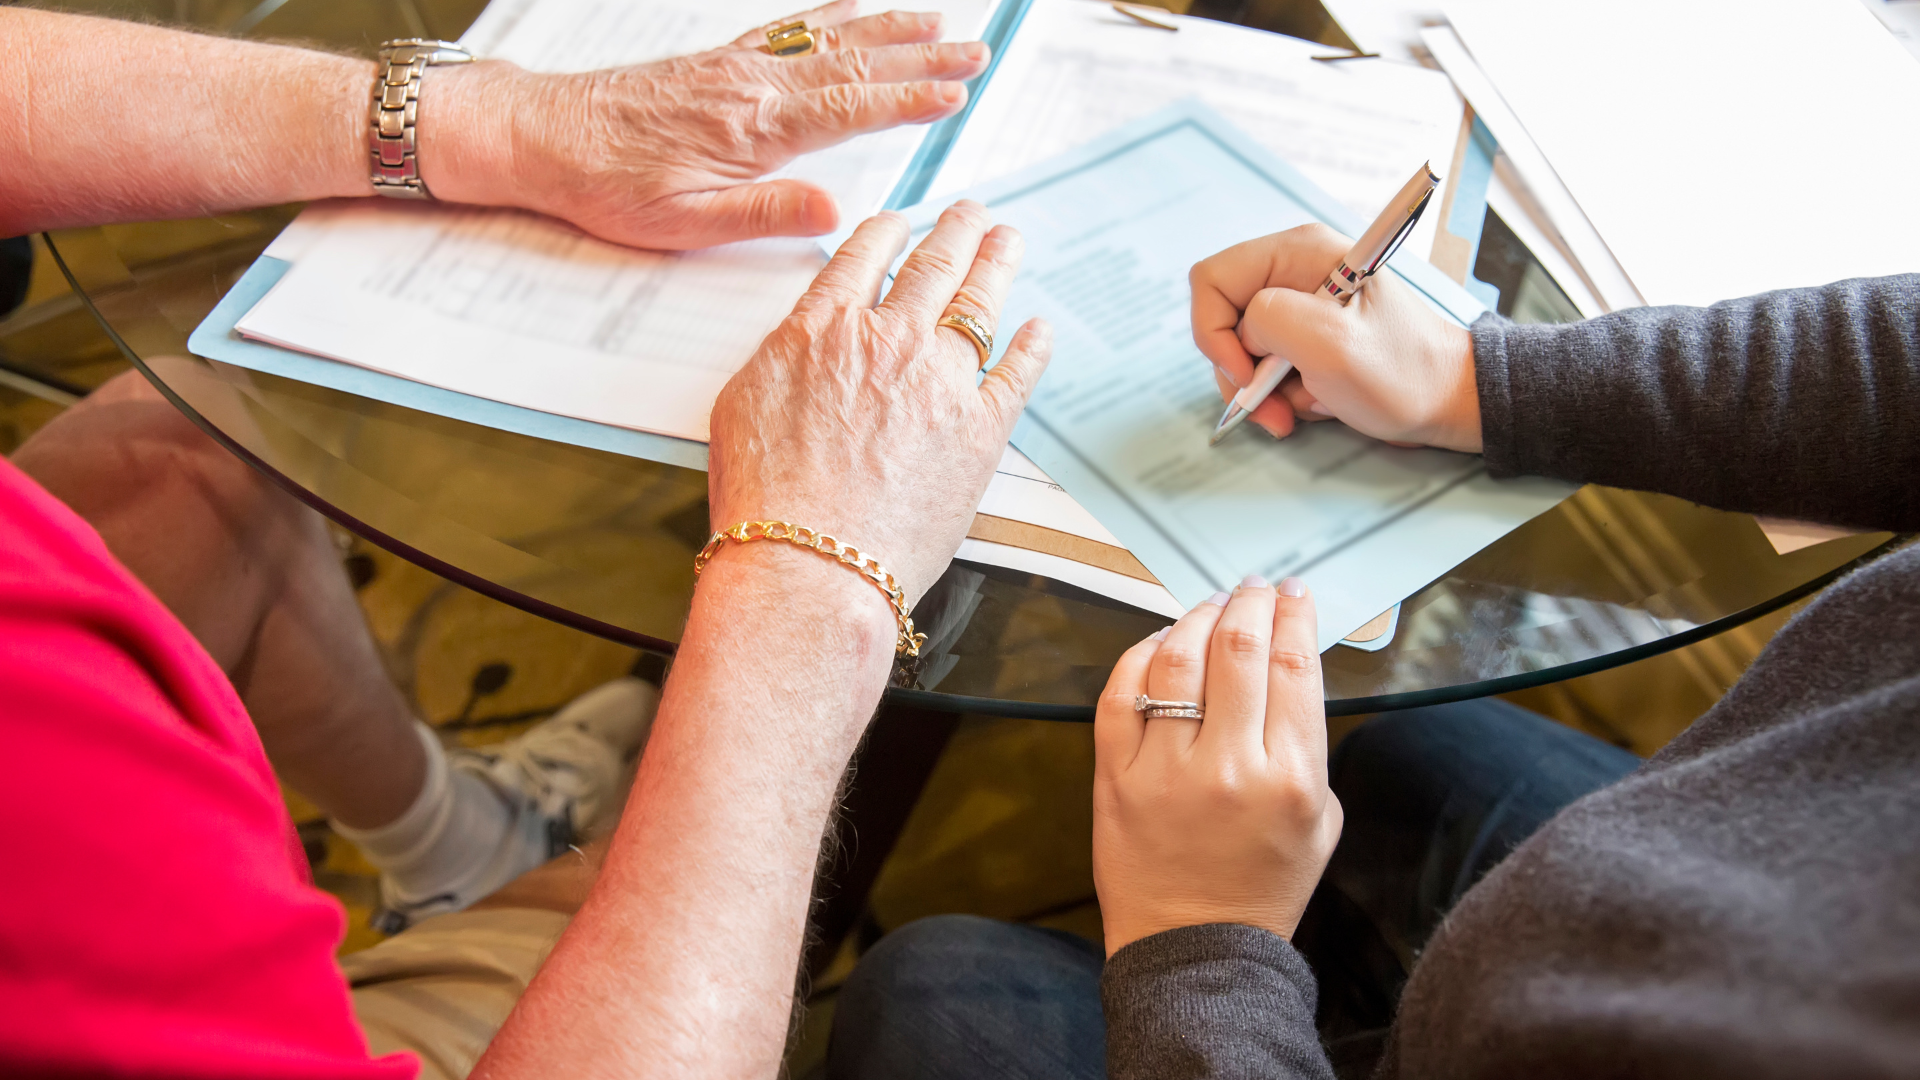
(683, 960)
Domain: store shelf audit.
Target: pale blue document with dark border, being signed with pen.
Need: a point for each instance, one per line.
(1124, 412)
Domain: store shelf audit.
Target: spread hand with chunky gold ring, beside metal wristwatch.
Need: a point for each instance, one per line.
(671, 155)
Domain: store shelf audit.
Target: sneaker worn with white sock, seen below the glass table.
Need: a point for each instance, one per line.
(556, 783)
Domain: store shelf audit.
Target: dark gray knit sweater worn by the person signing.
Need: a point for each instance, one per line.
(1748, 904)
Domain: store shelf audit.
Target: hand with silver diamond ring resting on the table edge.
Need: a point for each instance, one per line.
(1224, 820)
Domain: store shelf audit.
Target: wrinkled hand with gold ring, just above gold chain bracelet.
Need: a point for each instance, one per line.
(869, 422)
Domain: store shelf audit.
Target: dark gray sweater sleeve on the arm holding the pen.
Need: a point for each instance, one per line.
(1798, 405)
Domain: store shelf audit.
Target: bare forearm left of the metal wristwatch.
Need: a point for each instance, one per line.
(124, 122)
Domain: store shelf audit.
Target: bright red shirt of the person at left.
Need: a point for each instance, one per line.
(156, 916)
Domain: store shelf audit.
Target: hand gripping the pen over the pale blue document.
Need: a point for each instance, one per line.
(1385, 362)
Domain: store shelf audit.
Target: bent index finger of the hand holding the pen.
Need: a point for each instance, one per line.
(1226, 283)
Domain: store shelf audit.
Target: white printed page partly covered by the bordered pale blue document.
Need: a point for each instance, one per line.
(1078, 70)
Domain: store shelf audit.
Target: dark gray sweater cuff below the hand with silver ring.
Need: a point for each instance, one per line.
(1211, 1002)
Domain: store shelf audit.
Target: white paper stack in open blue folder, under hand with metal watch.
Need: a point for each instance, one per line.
(533, 312)
